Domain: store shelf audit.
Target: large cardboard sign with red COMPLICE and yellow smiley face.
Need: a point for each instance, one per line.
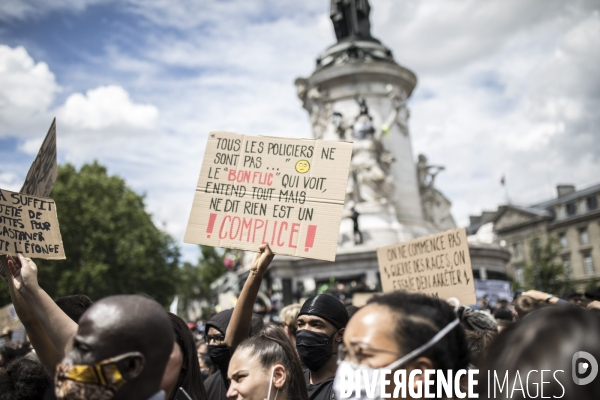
(288, 193)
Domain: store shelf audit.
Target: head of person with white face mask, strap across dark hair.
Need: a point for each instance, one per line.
(401, 331)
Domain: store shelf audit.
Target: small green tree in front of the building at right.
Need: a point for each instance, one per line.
(545, 271)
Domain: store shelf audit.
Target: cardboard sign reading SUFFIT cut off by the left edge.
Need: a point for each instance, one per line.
(29, 225)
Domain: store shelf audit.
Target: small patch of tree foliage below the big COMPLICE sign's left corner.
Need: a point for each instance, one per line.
(196, 279)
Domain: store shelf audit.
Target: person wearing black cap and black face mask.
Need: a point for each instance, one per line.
(321, 324)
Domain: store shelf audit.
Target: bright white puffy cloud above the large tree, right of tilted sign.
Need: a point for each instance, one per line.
(104, 107)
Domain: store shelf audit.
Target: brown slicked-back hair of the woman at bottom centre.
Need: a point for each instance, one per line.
(272, 346)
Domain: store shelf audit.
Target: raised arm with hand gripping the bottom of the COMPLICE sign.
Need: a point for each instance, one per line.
(241, 319)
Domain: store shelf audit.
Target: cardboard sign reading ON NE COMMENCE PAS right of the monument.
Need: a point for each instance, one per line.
(438, 265)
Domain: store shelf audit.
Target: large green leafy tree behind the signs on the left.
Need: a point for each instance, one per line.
(112, 245)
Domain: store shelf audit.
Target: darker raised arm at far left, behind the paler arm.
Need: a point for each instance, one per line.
(40, 341)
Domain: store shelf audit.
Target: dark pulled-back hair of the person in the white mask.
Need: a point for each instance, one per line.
(419, 318)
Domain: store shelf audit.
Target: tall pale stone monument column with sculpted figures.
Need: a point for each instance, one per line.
(358, 93)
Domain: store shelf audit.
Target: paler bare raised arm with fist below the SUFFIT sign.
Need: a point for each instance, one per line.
(57, 325)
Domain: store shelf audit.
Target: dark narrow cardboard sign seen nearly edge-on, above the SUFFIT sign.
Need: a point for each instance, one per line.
(42, 173)
